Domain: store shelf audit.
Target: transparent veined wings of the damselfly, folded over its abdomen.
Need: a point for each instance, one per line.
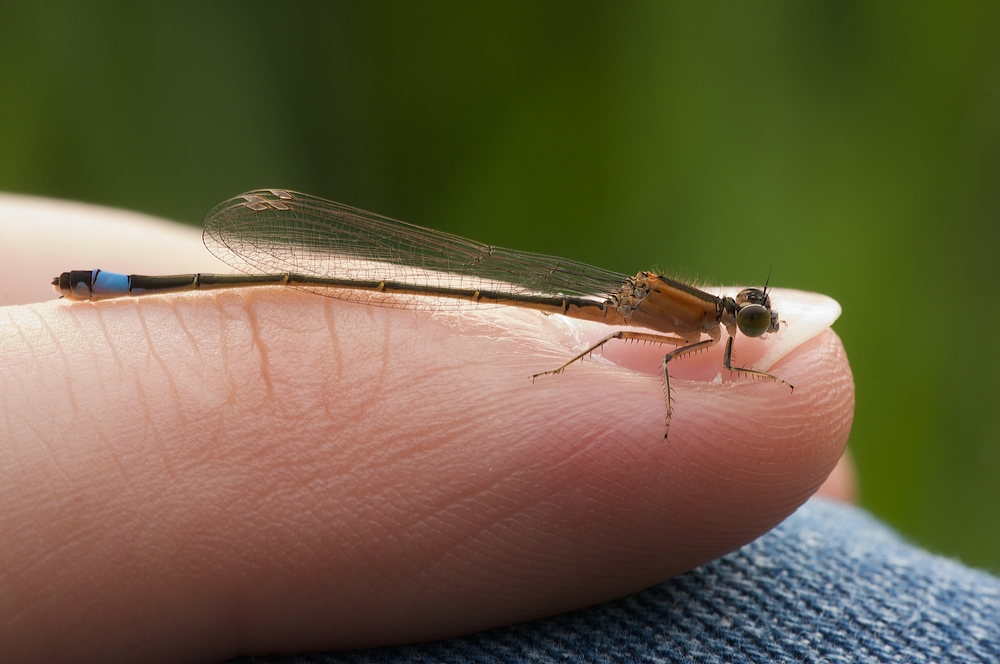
(274, 230)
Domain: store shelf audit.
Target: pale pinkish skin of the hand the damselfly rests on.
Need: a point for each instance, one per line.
(191, 477)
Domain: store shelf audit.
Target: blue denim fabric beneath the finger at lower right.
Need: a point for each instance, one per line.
(830, 584)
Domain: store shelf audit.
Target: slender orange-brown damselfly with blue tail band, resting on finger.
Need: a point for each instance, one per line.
(279, 237)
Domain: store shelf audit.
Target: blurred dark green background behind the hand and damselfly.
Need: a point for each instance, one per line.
(849, 148)
